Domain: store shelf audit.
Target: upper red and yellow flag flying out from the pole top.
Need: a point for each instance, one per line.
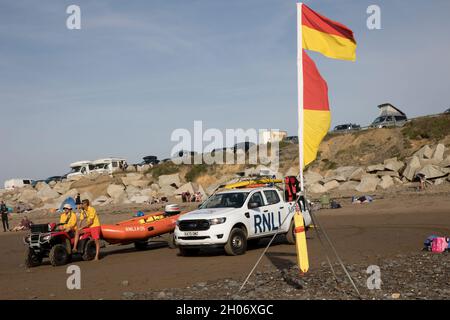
(331, 38)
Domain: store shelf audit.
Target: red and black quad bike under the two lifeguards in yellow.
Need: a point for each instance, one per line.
(45, 240)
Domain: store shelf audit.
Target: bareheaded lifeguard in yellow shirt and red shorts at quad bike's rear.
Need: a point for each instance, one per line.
(89, 222)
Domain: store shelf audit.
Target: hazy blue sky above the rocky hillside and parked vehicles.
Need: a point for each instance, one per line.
(137, 70)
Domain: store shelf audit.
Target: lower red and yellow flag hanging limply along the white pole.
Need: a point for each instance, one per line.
(316, 110)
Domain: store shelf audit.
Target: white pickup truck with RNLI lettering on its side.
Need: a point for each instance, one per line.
(231, 218)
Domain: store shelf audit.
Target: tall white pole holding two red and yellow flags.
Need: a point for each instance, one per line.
(300, 93)
